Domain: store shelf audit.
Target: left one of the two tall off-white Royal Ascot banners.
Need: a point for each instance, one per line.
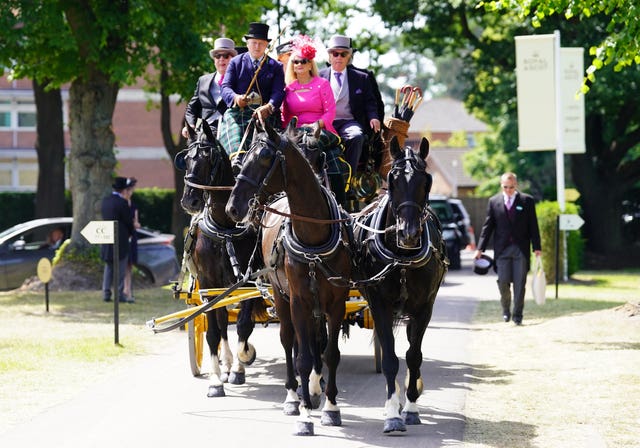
(536, 92)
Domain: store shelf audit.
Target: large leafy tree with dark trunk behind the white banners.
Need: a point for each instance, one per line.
(484, 40)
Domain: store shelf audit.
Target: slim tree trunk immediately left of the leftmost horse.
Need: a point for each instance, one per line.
(179, 219)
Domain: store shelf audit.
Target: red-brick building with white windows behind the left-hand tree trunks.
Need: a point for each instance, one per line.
(136, 122)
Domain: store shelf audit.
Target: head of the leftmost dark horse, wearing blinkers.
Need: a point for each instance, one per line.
(205, 163)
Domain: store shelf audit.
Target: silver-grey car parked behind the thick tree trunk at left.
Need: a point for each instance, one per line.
(23, 245)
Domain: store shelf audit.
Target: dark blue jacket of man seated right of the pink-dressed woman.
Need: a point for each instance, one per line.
(362, 100)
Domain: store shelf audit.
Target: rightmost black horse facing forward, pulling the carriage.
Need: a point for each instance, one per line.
(402, 262)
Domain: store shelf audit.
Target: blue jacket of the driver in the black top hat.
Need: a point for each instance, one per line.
(270, 82)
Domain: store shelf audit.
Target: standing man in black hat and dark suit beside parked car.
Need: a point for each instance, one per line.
(116, 208)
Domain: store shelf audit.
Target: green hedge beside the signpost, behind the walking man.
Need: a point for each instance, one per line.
(548, 212)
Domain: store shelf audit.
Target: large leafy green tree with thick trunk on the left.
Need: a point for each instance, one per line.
(98, 46)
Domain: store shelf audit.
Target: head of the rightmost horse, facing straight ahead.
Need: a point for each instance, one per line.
(408, 189)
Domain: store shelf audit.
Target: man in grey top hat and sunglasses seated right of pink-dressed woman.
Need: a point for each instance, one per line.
(356, 105)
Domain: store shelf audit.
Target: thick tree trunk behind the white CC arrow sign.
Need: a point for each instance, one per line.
(92, 160)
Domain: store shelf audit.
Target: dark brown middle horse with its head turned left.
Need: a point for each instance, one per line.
(311, 257)
